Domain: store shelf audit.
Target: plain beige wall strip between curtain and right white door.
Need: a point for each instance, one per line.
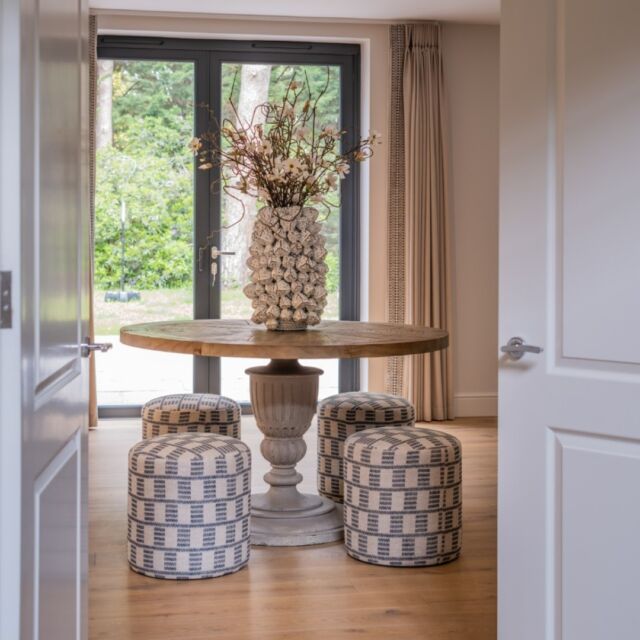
(471, 67)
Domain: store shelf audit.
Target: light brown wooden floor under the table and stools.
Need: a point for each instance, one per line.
(301, 593)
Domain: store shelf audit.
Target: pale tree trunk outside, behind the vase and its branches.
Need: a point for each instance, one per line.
(254, 90)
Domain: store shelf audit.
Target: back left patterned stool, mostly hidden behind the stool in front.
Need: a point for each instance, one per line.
(191, 413)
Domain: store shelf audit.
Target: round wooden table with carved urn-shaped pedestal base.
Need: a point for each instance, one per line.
(284, 395)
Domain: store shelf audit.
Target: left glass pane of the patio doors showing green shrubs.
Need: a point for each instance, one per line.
(144, 224)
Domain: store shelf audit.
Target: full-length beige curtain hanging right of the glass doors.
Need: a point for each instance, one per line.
(419, 271)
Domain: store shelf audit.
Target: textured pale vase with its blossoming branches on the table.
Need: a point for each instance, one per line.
(292, 164)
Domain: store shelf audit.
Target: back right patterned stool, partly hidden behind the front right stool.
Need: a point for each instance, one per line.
(341, 415)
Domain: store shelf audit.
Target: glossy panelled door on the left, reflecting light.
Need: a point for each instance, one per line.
(54, 305)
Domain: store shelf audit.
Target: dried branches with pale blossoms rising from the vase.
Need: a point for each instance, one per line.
(290, 159)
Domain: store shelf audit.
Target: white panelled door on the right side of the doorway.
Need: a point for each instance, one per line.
(569, 481)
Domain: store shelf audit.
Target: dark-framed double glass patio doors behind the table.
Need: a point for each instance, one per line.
(162, 230)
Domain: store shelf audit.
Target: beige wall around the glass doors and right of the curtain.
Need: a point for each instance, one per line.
(472, 76)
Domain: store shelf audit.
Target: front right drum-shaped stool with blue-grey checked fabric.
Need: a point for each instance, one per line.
(403, 500)
